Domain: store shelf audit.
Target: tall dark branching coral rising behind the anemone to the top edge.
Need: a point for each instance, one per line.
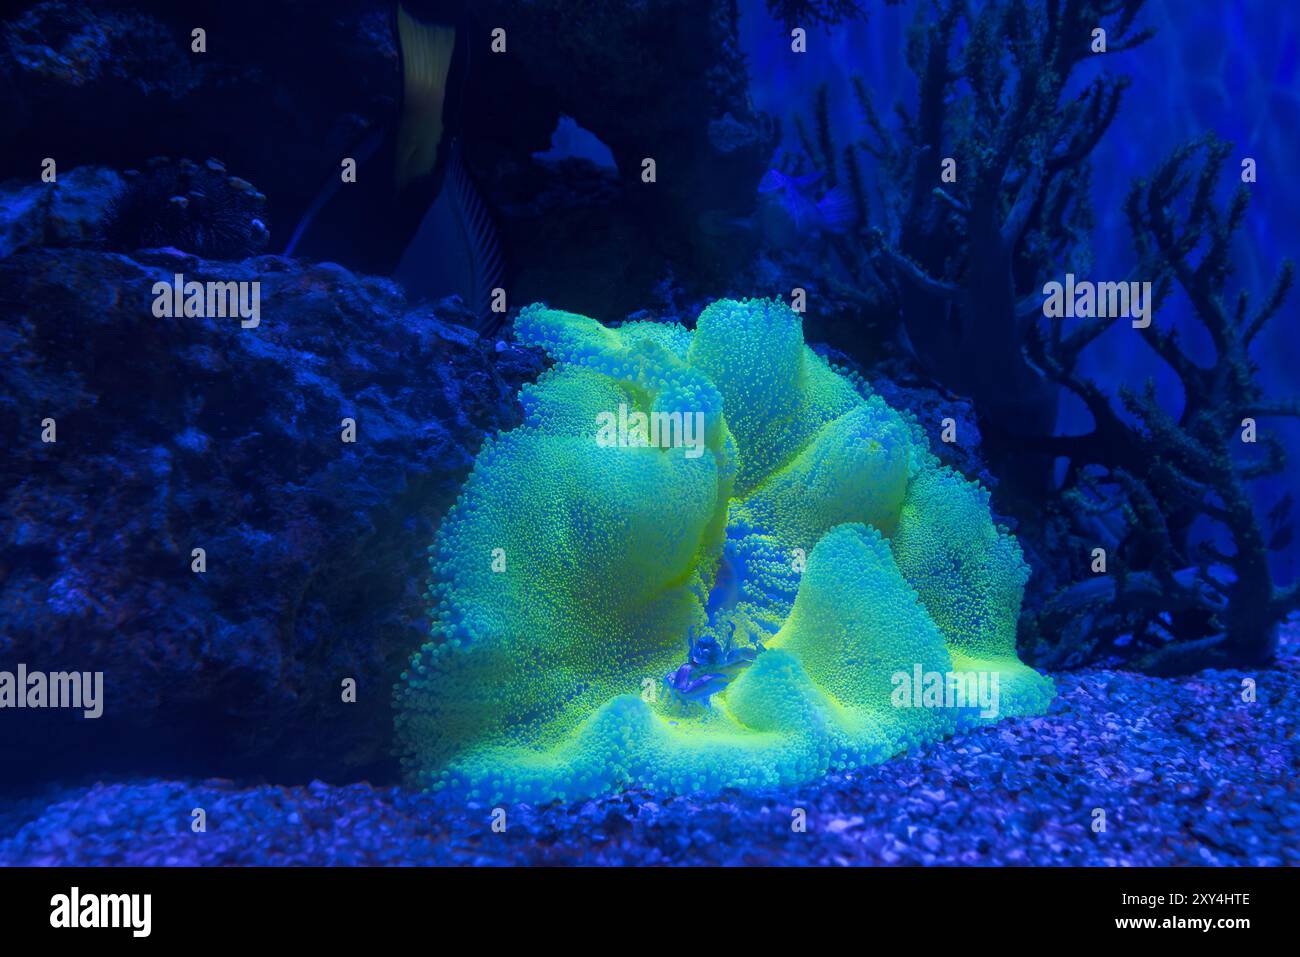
(963, 262)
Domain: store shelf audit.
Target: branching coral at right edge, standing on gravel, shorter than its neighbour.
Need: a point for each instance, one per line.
(1189, 599)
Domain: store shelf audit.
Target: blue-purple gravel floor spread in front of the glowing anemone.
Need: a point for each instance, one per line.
(1185, 770)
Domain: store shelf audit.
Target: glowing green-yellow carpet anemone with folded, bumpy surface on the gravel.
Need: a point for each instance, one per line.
(573, 577)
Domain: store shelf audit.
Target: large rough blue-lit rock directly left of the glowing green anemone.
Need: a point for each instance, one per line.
(184, 434)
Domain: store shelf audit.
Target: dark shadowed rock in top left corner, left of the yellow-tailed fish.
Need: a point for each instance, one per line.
(283, 90)
